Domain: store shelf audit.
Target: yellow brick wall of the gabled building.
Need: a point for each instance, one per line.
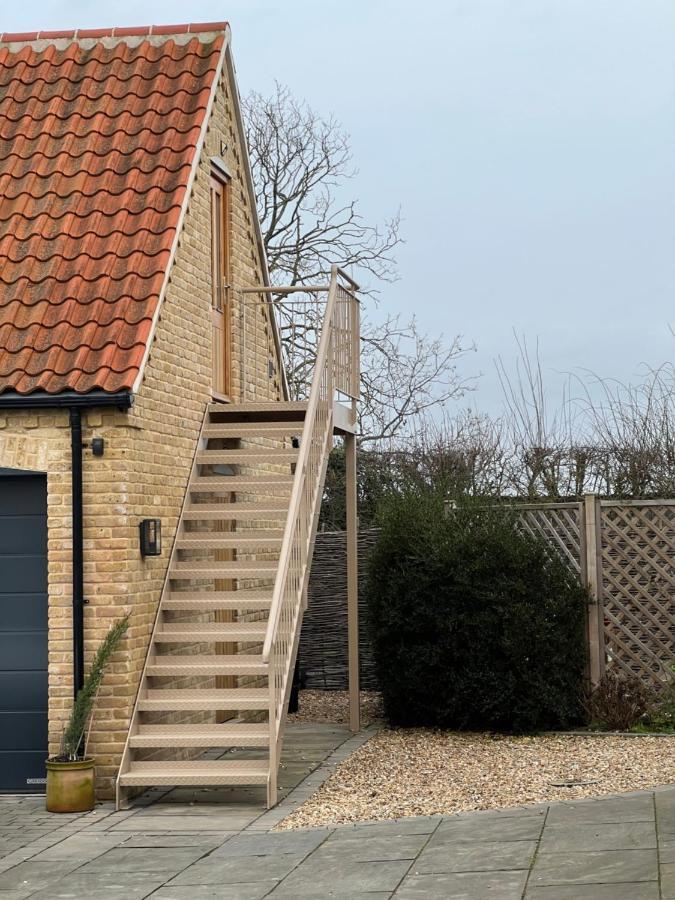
(148, 456)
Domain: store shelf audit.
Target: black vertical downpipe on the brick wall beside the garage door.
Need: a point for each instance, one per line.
(78, 548)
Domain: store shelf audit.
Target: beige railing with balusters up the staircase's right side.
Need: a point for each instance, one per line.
(336, 373)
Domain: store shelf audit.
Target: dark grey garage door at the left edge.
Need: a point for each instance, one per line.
(23, 631)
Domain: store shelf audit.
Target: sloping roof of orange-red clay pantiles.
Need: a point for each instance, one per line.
(96, 148)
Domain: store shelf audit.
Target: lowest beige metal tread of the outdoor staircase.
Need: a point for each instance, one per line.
(197, 772)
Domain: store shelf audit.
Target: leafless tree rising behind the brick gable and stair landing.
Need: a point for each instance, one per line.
(302, 165)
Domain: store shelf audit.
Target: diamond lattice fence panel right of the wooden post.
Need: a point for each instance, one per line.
(638, 586)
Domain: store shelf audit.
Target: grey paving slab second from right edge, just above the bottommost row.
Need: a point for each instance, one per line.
(597, 866)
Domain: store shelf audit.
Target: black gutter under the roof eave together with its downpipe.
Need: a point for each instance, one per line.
(75, 403)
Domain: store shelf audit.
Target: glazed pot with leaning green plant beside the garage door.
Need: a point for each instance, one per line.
(70, 775)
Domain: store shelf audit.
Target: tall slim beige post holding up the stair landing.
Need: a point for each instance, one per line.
(352, 583)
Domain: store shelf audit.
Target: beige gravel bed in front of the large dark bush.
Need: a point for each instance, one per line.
(420, 772)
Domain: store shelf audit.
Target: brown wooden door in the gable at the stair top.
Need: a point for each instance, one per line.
(220, 286)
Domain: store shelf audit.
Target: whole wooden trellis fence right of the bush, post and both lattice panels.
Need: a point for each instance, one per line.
(624, 552)
